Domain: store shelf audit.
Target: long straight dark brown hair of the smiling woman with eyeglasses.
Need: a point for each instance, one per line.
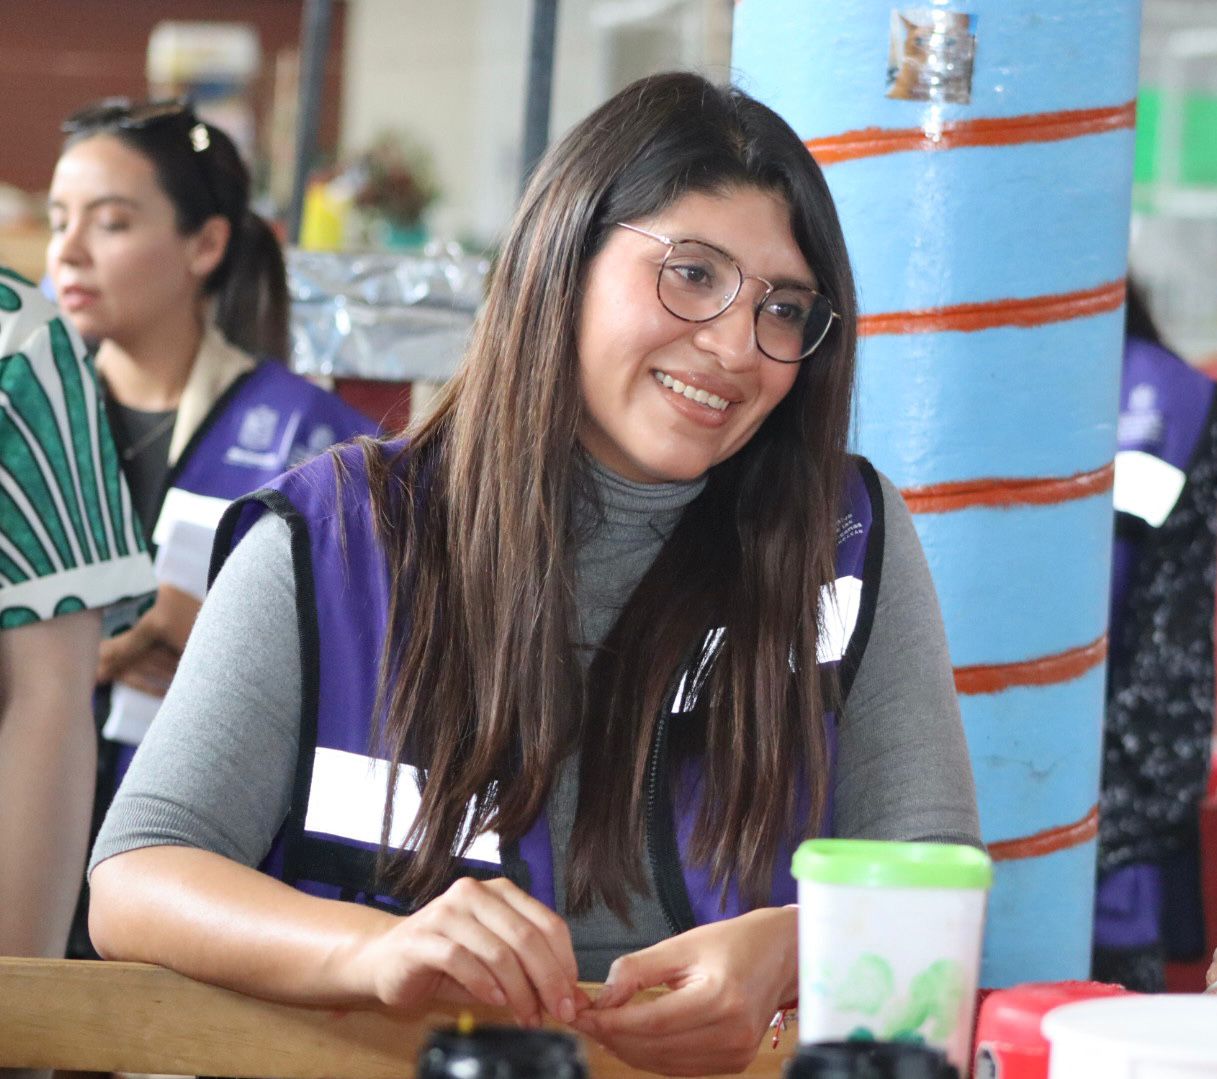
(481, 687)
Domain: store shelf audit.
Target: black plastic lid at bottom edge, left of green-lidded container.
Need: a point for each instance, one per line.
(501, 1053)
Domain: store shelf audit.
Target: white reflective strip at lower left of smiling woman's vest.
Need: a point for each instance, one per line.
(347, 801)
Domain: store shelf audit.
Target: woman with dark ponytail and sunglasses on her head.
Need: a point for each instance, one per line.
(159, 261)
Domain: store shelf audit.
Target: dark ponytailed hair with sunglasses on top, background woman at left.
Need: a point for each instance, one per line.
(201, 172)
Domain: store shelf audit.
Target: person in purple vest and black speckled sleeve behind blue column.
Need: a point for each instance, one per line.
(1160, 685)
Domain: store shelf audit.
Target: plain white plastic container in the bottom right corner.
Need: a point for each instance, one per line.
(1164, 1037)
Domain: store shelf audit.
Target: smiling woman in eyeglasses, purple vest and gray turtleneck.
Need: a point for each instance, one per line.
(618, 628)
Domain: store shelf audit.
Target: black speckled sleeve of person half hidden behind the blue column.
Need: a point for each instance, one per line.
(1160, 690)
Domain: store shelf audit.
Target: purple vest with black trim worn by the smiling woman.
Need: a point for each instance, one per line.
(329, 842)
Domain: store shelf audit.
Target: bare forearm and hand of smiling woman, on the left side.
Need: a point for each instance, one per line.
(215, 920)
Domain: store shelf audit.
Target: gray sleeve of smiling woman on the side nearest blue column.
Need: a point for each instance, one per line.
(904, 771)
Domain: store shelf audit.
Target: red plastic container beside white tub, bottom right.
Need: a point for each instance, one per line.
(1010, 1044)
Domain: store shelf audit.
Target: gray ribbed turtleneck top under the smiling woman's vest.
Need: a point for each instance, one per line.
(216, 771)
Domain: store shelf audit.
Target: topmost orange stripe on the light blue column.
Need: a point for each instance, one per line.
(1042, 127)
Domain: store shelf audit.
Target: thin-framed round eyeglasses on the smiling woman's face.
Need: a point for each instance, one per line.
(698, 283)
